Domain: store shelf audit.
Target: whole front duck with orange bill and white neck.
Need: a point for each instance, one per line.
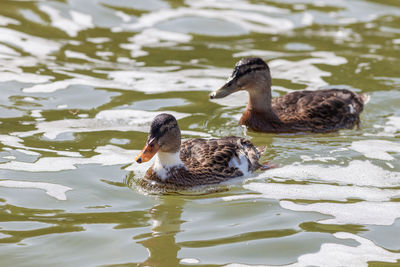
(193, 162)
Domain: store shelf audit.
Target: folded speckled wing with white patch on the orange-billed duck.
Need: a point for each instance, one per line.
(221, 157)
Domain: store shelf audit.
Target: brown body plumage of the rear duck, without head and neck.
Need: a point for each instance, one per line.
(310, 111)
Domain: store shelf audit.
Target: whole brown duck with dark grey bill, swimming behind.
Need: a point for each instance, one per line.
(301, 111)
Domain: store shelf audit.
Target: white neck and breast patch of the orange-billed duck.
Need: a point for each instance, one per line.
(166, 161)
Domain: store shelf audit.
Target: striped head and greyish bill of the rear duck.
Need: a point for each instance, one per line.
(249, 74)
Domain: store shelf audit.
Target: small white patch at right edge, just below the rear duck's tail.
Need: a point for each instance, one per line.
(376, 149)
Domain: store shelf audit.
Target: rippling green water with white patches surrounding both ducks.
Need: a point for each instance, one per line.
(80, 82)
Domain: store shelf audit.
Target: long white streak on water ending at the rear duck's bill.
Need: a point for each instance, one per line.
(149, 80)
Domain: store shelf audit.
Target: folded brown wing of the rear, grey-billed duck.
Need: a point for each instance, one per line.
(321, 110)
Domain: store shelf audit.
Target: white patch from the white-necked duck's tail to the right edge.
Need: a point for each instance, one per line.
(361, 173)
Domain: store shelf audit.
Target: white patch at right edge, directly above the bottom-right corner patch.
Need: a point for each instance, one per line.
(361, 213)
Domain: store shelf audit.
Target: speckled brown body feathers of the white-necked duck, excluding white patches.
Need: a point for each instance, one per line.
(206, 162)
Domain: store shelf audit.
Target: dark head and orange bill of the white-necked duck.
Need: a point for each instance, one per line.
(164, 136)
